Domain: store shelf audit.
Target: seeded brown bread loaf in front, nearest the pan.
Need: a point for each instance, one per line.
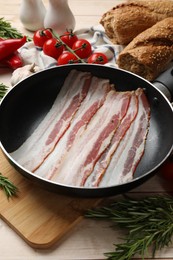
(150, 52)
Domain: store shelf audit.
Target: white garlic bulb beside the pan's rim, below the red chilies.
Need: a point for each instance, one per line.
(23, 72)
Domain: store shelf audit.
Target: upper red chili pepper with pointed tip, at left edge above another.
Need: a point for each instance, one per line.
(9, 46)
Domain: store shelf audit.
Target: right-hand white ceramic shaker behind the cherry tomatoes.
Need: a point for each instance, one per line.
(59, 17)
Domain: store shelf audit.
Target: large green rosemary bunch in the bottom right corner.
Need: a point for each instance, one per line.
(149, 223)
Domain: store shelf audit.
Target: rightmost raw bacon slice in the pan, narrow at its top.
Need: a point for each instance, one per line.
(131, 148)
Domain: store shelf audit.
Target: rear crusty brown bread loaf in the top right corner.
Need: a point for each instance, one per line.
(125, 21)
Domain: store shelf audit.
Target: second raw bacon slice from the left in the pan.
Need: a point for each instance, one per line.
(93, 101)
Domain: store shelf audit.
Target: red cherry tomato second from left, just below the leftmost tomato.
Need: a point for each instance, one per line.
(53, 48)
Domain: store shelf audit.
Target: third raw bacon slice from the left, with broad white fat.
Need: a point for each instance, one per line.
(81, 158)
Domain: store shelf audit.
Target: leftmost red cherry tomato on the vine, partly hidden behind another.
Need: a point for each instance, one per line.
(41, 36)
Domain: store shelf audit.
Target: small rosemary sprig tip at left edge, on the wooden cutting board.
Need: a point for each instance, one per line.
(7, 186)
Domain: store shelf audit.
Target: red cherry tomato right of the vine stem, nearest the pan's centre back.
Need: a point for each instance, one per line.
(82, 48)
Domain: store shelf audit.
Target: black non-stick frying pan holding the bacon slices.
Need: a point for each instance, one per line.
(27, 103)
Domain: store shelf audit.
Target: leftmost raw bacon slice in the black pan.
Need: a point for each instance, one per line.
(37, 147)
